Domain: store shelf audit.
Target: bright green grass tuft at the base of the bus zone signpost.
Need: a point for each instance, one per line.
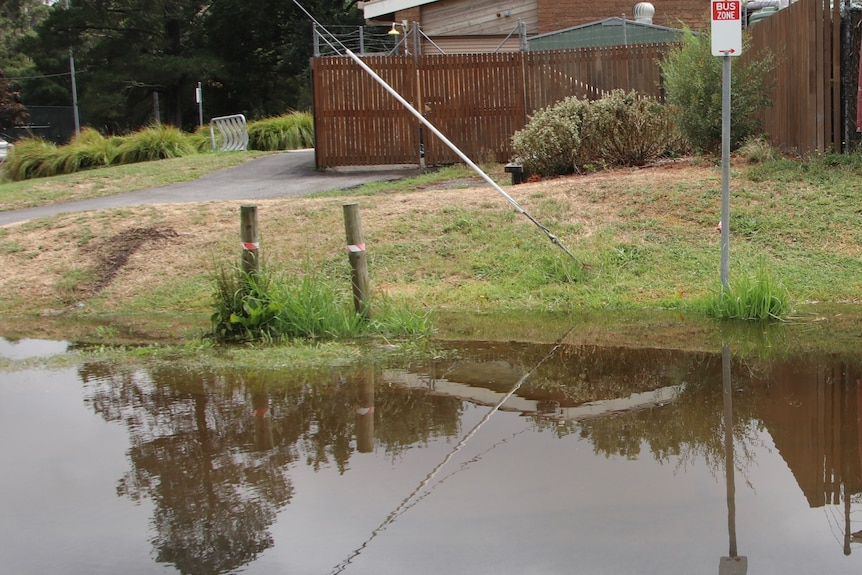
(751, 297)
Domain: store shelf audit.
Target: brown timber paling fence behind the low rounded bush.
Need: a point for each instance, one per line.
(476, 100)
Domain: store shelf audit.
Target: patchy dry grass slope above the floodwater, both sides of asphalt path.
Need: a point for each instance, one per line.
(642, 239)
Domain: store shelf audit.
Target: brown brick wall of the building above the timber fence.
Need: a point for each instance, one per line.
(558, 14)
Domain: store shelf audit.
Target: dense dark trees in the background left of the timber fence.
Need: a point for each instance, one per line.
(137, 59)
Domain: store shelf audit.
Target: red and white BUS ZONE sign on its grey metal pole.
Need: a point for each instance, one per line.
(726, 42)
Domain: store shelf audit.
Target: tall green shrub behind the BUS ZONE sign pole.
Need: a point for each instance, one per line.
(693, 81)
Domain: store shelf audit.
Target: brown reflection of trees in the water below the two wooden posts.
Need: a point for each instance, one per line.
(213, 452)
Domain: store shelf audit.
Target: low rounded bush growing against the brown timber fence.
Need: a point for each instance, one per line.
(621, 129)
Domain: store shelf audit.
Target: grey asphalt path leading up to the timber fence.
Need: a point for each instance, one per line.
(285, 175)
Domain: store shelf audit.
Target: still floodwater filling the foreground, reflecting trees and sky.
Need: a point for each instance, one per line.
(493, 458)
